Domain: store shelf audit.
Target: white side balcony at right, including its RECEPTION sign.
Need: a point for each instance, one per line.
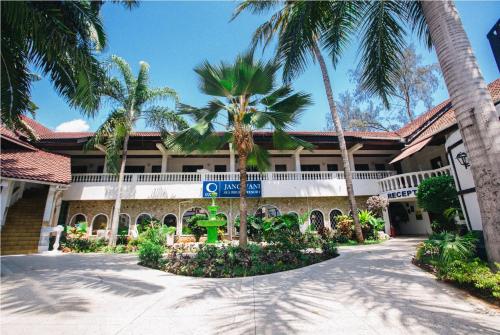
(404, 186)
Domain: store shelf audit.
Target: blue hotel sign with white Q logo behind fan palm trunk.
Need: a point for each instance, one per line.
(231, 189)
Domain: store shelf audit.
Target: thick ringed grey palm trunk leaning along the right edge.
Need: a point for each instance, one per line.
(474, 110)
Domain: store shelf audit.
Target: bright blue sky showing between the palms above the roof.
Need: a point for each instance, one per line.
(174, 37)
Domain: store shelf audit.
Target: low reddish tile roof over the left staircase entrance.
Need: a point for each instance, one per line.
(36, 165)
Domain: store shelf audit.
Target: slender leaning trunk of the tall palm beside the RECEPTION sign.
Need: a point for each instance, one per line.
(342, 144)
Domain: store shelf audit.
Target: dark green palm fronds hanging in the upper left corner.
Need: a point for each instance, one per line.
(59, 38)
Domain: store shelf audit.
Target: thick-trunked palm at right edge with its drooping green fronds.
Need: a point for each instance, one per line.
(438, 25)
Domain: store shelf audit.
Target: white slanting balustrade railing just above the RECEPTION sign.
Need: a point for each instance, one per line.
(410, 180)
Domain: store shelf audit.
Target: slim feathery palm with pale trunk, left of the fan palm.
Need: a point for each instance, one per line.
(132, 100)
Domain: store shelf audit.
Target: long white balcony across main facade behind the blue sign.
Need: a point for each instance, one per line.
(180, 185)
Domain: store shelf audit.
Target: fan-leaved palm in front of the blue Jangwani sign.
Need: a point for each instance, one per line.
(251, 102)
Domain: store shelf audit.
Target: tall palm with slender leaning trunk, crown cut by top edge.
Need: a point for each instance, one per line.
(303, 28)
